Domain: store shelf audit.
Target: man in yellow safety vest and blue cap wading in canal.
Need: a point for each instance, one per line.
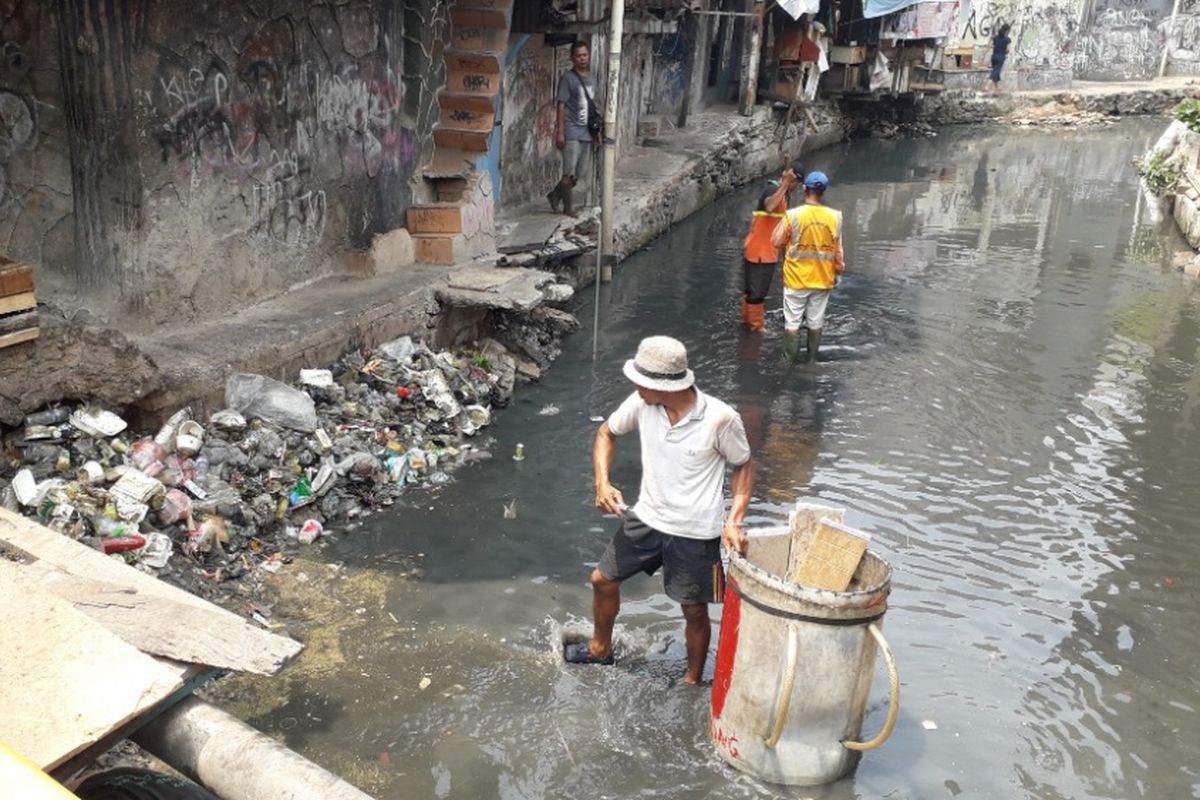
(812, 264)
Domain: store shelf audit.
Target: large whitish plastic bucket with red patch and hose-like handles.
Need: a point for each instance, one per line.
(795, 665)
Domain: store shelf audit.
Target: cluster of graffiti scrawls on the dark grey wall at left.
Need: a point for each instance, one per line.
(274, 128)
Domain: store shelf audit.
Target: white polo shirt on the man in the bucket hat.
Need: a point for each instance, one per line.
(683, 467)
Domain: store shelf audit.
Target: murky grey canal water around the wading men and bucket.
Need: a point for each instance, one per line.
(1009, 405)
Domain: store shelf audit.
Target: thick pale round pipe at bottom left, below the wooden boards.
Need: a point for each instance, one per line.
(235, 761)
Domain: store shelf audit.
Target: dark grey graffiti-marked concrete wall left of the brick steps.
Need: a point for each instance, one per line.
(218, 153)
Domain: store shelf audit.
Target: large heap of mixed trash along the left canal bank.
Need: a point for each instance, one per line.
(207, 502)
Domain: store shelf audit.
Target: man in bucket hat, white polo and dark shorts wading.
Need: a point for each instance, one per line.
(679, 524)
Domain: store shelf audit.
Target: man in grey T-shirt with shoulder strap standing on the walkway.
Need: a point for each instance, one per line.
(578, 119)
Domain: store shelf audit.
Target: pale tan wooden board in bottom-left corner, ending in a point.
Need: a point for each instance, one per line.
(68, 681)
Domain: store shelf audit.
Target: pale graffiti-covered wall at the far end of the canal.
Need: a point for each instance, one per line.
(1088, 40)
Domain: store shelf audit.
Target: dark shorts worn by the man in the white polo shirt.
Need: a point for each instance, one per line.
(692, 568)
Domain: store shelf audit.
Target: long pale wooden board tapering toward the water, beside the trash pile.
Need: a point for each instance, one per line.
(167, 621)
